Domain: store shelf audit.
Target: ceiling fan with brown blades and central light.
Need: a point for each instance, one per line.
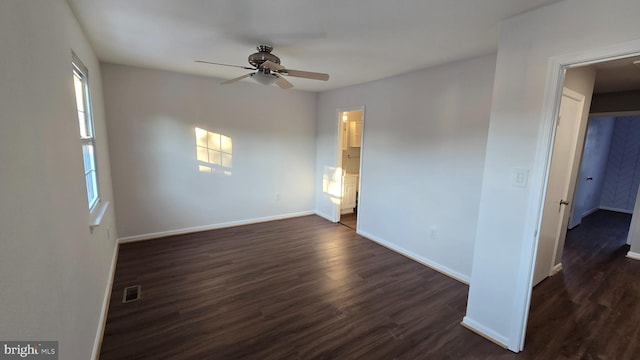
(268, 69)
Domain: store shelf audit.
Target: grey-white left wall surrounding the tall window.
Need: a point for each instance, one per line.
(53, 271)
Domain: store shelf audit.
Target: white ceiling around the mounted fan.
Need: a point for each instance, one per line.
(355, 41)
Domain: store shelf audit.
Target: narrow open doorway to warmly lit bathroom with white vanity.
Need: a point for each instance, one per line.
(350, 122)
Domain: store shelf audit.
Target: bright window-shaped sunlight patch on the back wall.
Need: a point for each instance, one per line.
(213, 152)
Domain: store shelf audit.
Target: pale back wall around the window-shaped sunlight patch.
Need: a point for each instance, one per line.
(151, 119)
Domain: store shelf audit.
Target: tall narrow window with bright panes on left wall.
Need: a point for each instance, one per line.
(85, 122)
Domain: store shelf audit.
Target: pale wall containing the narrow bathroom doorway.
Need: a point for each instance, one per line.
(421, 164)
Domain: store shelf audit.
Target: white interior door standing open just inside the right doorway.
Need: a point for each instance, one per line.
(555, 216)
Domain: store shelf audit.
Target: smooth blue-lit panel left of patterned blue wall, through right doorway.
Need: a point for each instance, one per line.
(594, 166)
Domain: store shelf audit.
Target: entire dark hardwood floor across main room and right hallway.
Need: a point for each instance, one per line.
(306, 288)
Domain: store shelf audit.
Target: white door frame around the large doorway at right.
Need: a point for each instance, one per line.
(551, 106)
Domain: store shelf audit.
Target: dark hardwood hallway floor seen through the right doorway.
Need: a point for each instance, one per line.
(590, 310)
